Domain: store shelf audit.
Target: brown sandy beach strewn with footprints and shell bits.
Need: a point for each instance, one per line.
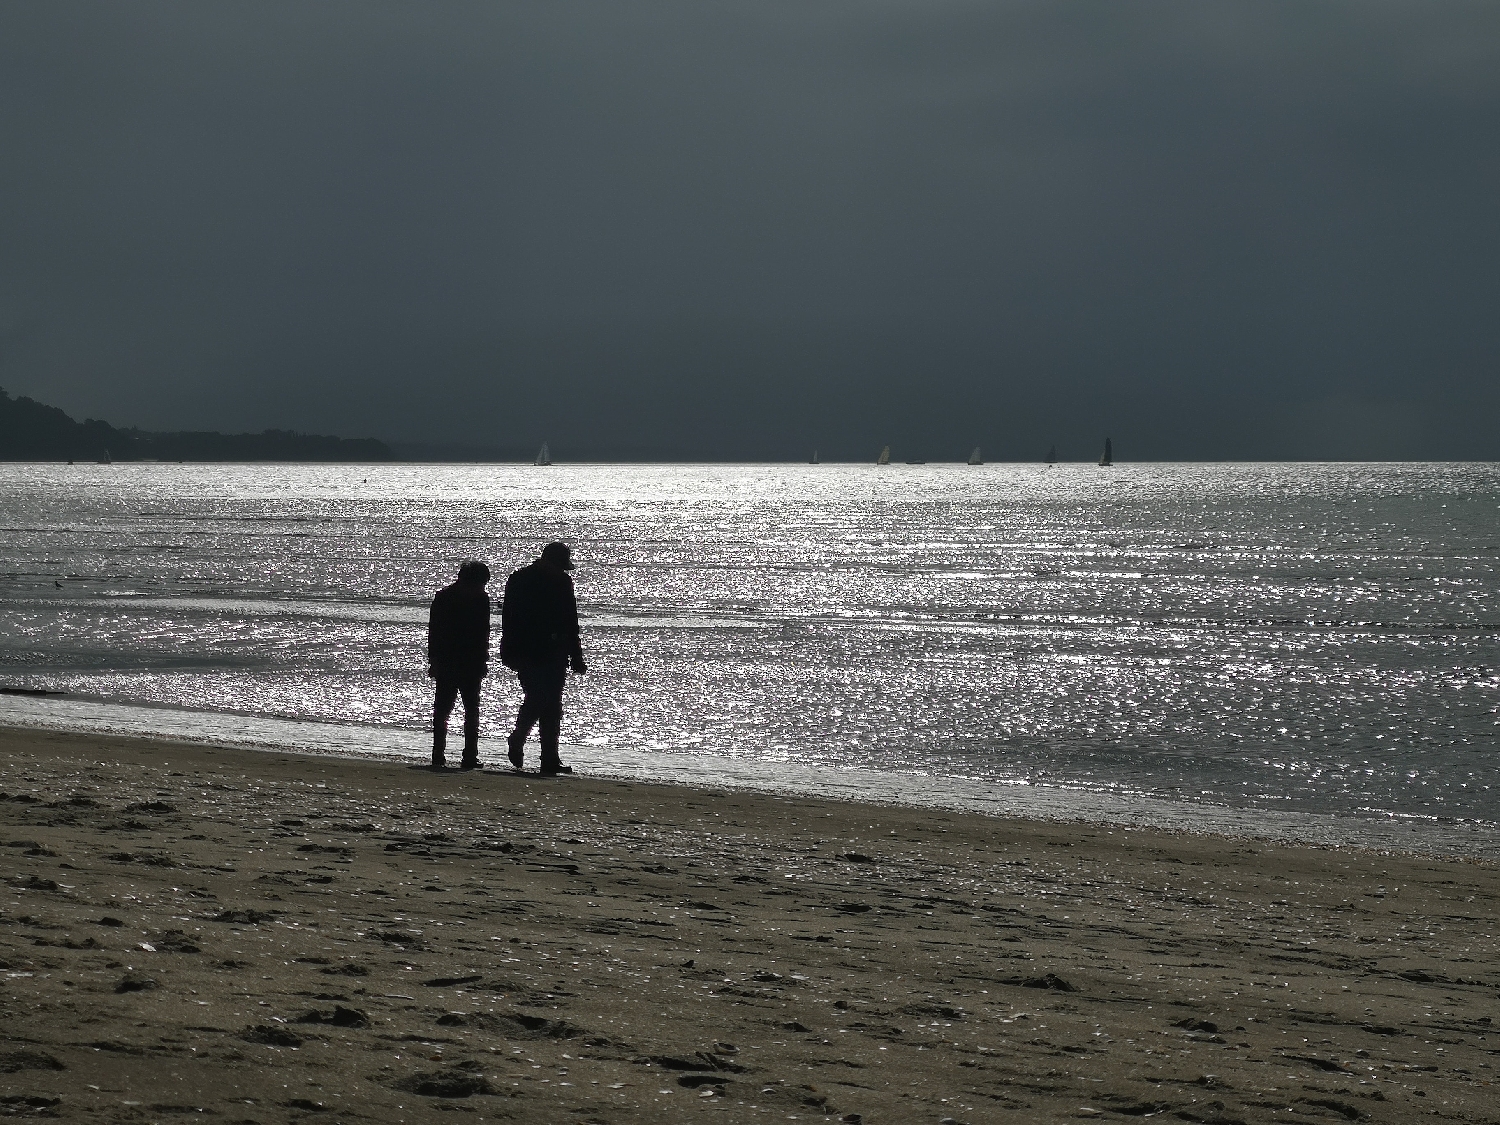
(269, 938)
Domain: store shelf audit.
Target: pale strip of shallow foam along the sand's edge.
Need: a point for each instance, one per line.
(725, 773)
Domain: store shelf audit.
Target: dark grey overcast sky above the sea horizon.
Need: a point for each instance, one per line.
(743, 230)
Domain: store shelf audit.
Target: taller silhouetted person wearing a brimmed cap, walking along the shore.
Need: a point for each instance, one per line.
(539, 641)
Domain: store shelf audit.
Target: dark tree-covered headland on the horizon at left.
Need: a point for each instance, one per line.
(34, 431)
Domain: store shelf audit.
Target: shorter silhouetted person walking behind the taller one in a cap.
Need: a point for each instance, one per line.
(458, 658)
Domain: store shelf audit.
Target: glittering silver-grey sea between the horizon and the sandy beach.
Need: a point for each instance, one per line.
(1304, 652)
